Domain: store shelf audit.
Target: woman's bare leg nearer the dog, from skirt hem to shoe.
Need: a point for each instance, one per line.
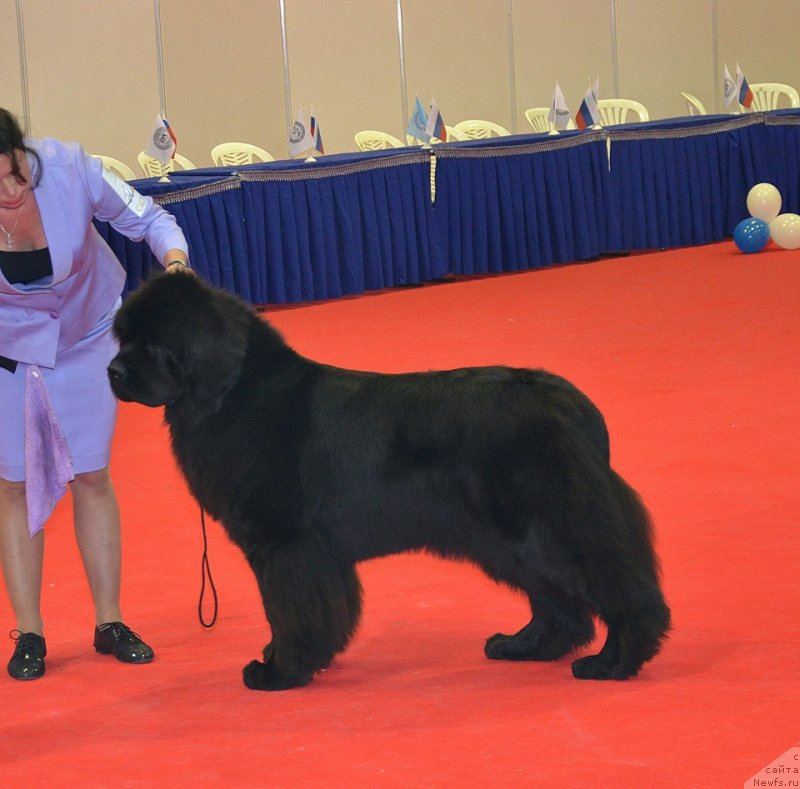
(97, 529)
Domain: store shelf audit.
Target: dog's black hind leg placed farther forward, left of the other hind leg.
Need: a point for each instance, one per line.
(560, 624)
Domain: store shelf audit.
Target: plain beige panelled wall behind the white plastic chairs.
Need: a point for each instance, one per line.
(98, 71)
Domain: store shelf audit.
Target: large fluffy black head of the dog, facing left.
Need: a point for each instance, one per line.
(181, 342)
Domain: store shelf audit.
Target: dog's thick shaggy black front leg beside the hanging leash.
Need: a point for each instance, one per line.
(313, 604)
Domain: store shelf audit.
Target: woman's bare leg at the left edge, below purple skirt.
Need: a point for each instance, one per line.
(21, 558)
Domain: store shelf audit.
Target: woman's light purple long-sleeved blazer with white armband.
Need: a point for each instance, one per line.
(36, 322)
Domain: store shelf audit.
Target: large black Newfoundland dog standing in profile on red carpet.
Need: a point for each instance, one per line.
(312, 469)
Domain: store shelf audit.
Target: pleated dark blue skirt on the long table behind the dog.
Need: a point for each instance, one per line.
(294, 231)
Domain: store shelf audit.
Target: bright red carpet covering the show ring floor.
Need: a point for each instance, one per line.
(693, 355)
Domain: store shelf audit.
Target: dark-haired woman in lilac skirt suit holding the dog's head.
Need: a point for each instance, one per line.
(60, 285)
